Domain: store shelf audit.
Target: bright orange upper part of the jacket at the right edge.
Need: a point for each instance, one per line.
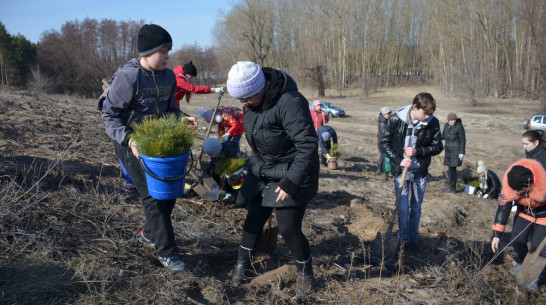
(538, 191)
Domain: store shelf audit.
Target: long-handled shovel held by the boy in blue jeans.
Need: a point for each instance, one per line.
(386, 245)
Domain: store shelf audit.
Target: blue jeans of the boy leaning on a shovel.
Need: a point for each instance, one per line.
(409, 211)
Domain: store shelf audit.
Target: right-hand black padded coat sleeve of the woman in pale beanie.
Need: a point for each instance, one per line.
(297, 124)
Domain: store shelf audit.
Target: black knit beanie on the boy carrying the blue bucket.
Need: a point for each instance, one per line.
(151, 38)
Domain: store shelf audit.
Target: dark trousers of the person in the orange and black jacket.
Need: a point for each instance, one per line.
(519, 241)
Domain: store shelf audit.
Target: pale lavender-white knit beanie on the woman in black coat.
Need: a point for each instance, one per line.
(245, 79)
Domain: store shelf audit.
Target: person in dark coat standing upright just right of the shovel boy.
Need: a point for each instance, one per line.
(455, 142)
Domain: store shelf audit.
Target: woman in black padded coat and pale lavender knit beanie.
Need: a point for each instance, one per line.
(284, 168)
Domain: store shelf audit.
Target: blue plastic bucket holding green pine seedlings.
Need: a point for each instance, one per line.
(165, 176)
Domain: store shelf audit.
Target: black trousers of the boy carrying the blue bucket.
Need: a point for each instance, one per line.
(158, 227)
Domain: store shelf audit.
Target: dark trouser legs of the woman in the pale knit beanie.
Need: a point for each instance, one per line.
(289, 221)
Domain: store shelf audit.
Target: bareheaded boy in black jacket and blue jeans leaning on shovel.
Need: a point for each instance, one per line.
(411, 138)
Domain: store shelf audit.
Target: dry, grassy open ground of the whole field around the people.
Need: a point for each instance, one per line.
(68, 230)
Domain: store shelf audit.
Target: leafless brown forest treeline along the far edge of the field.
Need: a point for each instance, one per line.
(471, 47)
